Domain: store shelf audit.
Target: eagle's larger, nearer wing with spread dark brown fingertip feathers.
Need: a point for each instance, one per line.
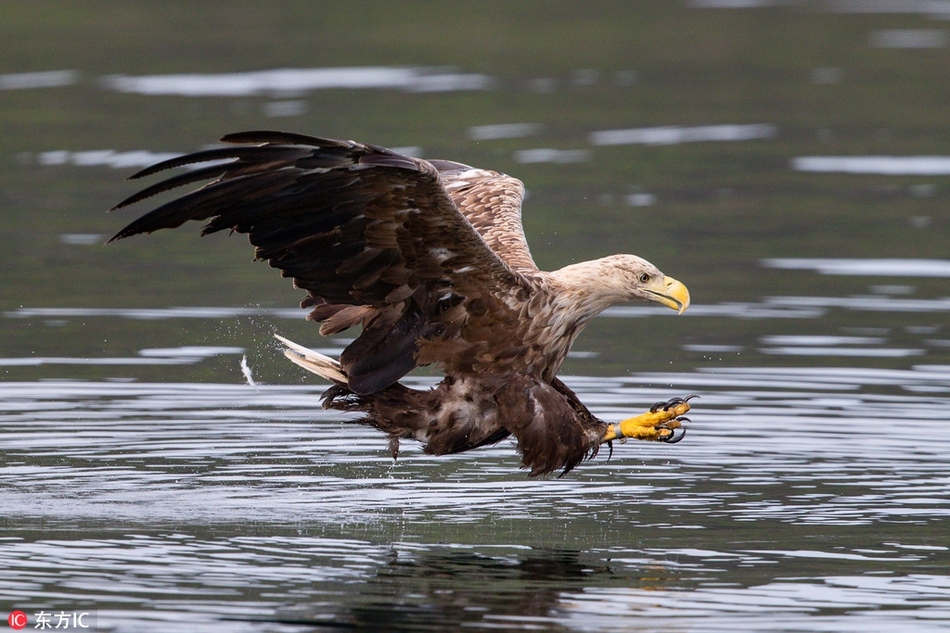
(372, 235)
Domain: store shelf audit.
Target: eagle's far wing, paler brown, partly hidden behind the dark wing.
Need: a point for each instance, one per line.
(491, 202)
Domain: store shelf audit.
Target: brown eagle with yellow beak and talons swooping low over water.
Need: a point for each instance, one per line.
(430, 260)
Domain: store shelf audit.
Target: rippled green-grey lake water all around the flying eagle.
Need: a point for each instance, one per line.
(163, 468)
